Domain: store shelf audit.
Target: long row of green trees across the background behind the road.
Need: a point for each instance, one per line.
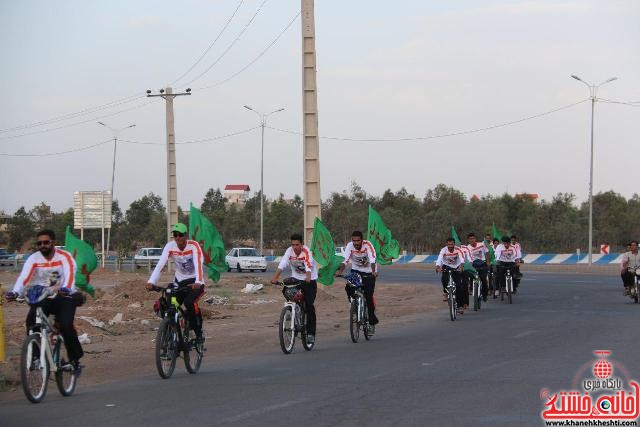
(419, 225)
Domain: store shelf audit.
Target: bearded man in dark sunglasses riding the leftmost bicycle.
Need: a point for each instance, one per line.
(55, 268)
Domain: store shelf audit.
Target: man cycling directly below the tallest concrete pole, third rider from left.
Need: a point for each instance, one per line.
(303, 267)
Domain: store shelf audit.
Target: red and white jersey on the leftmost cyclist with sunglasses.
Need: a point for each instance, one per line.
(37, 270)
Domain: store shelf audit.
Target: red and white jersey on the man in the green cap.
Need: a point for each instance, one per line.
(187, 263)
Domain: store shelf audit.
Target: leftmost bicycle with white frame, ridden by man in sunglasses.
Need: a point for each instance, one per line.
(44, 352)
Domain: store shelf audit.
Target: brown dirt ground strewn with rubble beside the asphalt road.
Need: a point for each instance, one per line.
(236, 323)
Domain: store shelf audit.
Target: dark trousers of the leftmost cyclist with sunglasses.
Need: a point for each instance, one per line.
(64, 310)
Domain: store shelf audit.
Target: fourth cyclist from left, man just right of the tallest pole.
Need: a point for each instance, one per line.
(362, 257)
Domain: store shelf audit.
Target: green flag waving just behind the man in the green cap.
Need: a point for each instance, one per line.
(204, 232)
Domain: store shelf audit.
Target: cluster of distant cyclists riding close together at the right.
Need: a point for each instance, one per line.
(486, 258)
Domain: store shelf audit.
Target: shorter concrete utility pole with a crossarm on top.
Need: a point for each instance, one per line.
(172, 186)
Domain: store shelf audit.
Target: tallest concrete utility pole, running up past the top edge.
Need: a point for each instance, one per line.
(311, 151)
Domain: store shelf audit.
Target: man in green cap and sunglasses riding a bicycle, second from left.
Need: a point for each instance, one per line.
(189, 278)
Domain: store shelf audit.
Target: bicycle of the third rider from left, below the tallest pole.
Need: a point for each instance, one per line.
(293, 317)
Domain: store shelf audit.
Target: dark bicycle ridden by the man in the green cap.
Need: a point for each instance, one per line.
(175, 335)
